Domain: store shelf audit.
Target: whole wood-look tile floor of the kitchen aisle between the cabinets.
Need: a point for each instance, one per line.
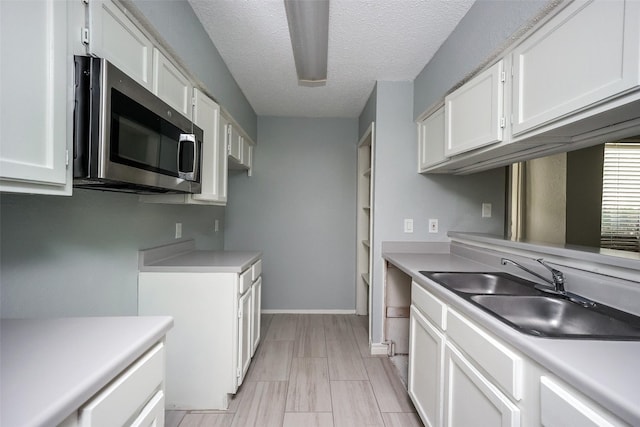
(312, 370)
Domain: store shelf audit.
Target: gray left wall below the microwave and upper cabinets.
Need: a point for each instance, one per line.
(78, 256)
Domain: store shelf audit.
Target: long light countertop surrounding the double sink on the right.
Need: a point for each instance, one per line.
(606, 371)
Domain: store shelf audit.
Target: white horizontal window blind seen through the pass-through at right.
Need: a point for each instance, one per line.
(620, 228)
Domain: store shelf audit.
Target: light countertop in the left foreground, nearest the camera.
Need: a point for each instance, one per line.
(51, 367)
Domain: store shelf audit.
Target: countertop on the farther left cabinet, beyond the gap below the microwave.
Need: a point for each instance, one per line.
(183, 257)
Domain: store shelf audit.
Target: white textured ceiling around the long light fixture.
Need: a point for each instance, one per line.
(369, 40)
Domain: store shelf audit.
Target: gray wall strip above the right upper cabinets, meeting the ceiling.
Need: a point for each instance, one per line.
(483, 30)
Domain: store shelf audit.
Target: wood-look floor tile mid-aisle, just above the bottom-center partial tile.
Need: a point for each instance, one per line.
(309, 389)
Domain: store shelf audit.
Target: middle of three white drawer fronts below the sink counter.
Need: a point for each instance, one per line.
(501, 363)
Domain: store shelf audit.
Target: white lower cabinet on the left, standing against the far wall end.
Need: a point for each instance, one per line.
(209, 349)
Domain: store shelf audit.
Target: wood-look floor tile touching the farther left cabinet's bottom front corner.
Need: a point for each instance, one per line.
(262, 405)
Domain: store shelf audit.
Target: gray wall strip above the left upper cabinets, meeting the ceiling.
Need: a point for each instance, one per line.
(176, 21)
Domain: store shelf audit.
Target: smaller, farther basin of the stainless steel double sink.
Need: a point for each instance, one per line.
(483, 283)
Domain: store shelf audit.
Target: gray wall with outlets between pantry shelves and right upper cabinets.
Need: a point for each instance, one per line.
(400, 192)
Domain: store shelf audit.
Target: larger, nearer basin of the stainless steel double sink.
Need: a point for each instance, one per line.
(557, 317)
